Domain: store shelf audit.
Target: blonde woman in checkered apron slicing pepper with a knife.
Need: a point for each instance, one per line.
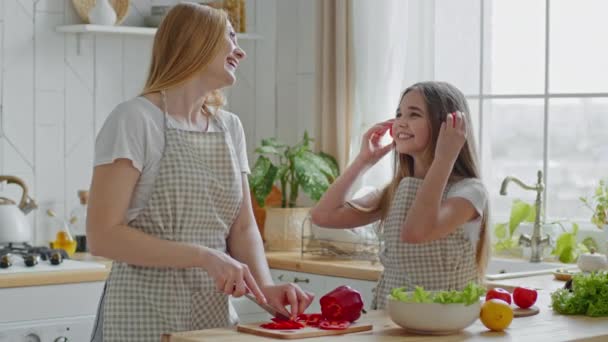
(169, 199)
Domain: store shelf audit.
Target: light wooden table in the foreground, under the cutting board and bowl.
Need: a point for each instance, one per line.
(546, 326)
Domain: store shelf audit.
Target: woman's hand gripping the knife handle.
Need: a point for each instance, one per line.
(231, 276)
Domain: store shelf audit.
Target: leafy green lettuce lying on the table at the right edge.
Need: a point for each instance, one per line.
(589, 296)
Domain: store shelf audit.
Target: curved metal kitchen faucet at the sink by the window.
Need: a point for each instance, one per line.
(536, 242)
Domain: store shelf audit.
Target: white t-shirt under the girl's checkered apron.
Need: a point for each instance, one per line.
(471, 189)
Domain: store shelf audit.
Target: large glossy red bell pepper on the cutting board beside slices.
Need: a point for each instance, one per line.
(342, 304)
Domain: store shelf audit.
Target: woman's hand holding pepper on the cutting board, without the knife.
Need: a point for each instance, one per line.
(288, 294)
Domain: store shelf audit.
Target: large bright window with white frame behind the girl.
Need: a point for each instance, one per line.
(536, 72)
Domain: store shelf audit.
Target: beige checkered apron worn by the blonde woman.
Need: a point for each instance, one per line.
(197, 195)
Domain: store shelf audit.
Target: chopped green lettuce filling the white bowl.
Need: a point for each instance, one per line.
(469, 295)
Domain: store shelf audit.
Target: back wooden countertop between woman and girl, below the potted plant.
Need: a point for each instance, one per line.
(354, 269)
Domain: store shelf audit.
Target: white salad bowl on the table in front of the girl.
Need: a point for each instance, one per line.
(433, 318)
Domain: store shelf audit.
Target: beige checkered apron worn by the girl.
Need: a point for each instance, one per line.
(444, 264)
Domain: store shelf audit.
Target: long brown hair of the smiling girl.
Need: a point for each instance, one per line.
(442, 98)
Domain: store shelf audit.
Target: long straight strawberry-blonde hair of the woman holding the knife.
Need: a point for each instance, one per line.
(187, 40)
